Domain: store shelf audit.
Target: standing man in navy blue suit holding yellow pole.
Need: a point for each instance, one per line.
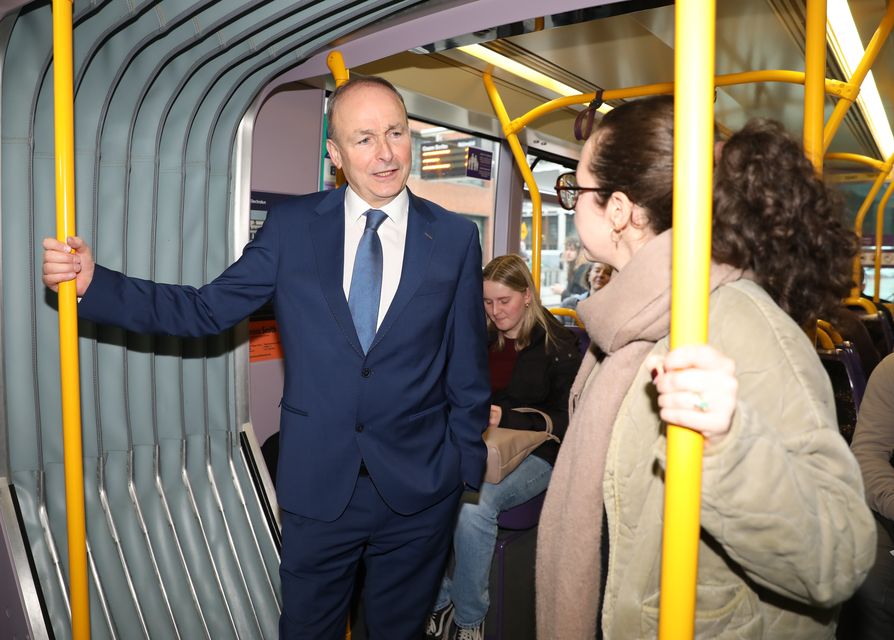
(386, 388)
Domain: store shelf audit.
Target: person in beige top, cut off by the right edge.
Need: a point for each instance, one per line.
(869, 615)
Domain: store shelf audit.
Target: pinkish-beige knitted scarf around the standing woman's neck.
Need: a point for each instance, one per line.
(625, 319)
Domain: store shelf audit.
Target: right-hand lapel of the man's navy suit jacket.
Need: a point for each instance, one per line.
(417, 255)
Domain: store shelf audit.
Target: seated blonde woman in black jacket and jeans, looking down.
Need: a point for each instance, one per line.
(533, 361)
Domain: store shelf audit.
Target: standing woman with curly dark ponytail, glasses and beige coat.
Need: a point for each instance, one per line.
(785, 532)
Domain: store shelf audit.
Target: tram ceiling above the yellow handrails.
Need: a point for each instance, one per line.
(631, 43)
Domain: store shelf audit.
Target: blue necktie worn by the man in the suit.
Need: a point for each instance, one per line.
(366, 280)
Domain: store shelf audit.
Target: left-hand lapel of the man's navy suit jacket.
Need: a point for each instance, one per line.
(328, 233)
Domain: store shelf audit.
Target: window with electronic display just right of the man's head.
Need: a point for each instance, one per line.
(445, 172)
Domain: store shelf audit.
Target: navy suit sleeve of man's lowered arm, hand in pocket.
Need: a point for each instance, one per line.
(467, 379)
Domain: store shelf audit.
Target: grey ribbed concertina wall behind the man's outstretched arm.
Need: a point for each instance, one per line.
(177, 542)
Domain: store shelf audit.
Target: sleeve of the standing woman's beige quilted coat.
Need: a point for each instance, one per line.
(782, 493)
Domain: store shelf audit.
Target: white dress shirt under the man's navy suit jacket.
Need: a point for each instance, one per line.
(393, 235)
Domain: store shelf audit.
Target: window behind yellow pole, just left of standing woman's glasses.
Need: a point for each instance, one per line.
(557, 225)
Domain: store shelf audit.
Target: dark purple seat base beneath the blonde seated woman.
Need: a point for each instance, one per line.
(511, 614)
